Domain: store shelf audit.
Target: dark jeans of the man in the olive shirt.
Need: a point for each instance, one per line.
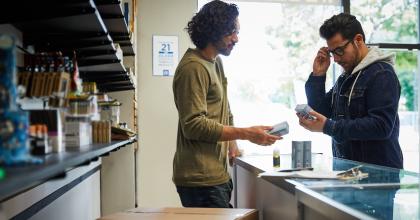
(206, 197)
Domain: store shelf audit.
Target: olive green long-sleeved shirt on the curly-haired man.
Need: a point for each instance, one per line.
(200, 95)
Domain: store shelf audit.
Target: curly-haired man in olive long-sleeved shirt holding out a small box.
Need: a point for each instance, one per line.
(205, 130)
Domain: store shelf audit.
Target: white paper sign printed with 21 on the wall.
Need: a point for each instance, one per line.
(165, 55)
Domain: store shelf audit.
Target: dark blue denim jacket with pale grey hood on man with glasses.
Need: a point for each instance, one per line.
(362, 110)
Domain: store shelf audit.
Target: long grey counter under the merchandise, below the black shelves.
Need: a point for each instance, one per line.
(68, 180)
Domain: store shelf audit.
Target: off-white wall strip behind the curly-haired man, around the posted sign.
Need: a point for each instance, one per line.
(158, 116)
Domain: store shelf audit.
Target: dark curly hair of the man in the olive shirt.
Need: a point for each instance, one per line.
(215, 20)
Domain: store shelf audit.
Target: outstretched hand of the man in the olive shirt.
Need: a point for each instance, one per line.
(258, 135)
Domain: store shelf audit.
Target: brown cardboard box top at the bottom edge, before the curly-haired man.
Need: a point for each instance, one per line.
(184, 214)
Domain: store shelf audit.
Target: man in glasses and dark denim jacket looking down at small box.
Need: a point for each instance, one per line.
(360, 112)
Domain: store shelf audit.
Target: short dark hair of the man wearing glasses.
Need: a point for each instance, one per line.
(345, 24)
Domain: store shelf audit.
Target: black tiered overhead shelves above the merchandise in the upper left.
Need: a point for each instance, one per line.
(85, 26)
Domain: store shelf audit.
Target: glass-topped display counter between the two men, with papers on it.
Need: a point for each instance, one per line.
(386, 193)
